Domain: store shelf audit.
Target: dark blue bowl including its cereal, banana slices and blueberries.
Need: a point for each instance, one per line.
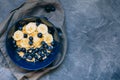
(32, 43)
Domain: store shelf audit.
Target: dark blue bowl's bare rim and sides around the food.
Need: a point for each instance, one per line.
(23, 63)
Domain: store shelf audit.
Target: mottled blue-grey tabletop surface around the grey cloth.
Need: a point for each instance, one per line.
(93, 30)
